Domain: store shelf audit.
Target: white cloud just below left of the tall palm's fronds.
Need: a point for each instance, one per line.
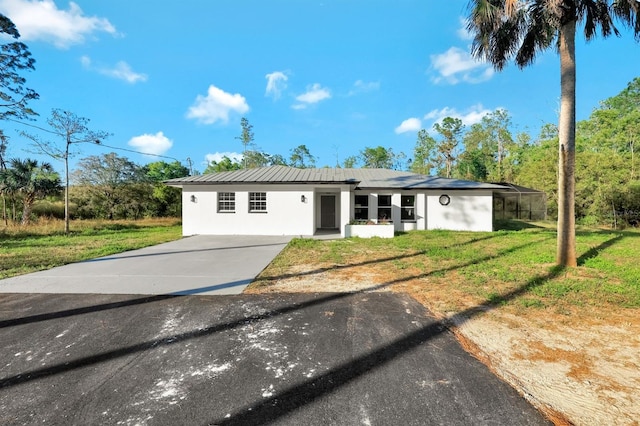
(456, 65)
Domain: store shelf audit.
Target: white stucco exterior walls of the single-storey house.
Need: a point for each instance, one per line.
(287, 215)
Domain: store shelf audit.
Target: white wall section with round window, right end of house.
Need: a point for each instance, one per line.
(467, 211)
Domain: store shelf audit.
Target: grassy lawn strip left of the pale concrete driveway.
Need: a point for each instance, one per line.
(43, 246)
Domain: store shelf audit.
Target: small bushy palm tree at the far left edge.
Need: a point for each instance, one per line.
(32, 180)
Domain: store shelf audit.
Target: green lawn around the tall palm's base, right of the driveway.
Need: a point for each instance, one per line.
(460, 269)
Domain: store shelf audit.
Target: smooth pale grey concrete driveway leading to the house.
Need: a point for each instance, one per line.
(193, 265)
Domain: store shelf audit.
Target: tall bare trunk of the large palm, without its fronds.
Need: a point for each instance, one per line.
(566, 250)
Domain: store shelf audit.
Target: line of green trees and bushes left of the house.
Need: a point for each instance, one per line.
(107, 186)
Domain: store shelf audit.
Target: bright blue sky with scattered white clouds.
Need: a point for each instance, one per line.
(175, 78)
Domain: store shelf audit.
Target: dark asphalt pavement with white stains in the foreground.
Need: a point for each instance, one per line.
(288, 359)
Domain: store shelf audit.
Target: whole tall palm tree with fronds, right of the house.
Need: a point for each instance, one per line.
(519, 29)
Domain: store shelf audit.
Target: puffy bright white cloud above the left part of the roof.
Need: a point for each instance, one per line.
(217, 106)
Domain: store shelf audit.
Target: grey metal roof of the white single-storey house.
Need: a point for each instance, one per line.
(362, 178)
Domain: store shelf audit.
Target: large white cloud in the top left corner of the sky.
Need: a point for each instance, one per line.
(42, 20)
